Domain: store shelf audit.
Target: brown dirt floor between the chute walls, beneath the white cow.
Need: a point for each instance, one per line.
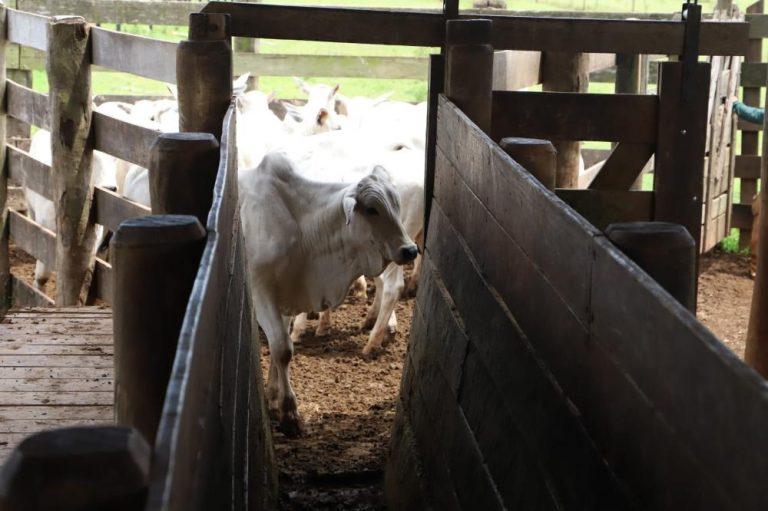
(348, 404)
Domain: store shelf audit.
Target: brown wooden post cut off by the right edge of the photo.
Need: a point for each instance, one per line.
(756, 354)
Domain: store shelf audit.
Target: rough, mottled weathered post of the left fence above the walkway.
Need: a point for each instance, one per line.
(69, 78)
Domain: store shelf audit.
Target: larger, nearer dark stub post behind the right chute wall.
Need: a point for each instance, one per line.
(666, 252)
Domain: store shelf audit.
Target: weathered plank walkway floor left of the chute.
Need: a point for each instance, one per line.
(55, 371)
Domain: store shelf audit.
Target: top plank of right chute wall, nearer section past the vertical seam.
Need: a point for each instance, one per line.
(668, 353)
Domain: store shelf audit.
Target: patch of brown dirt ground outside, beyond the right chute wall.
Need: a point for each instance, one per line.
(725, 297)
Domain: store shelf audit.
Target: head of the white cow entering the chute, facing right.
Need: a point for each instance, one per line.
(372, 210)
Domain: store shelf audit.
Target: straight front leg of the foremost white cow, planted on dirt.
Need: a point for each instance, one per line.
(279, 390)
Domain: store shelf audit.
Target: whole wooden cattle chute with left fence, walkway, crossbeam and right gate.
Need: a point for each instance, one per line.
(545, 368)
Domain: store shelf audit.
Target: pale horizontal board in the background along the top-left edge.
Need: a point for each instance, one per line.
(117, 11)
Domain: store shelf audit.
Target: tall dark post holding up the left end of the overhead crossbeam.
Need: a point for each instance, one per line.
(204, 74)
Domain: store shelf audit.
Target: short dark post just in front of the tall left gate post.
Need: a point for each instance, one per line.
(182, 174)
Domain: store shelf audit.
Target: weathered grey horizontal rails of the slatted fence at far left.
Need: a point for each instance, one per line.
(121, 139)
